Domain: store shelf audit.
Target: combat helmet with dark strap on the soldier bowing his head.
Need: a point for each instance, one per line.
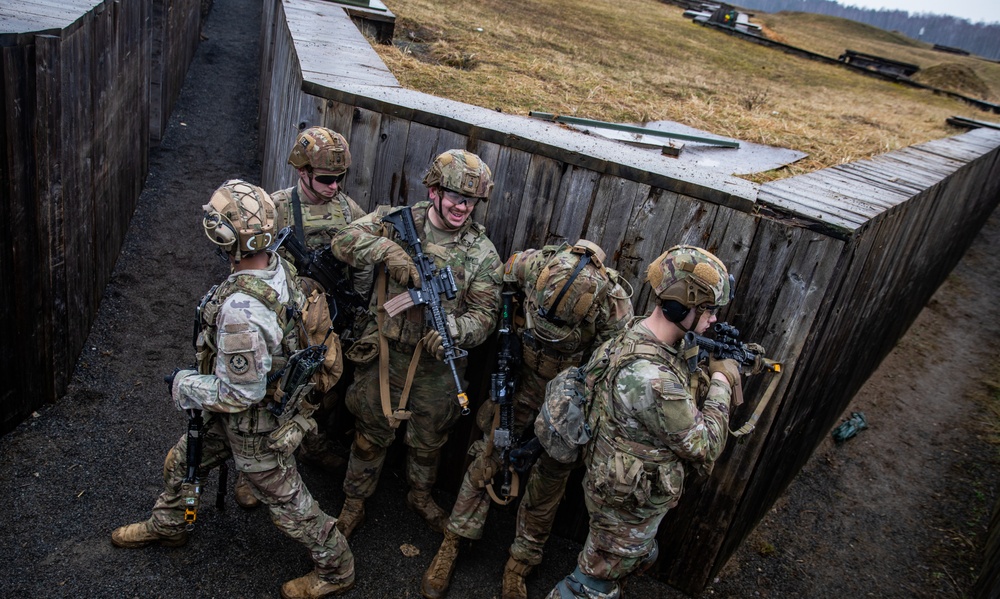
(571, 284)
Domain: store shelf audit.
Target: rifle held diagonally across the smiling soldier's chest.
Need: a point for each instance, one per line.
(434, 282)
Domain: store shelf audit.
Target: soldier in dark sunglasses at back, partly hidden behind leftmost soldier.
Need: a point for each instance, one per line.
(318, 208)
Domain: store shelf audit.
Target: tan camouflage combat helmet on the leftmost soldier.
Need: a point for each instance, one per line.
(239, 218)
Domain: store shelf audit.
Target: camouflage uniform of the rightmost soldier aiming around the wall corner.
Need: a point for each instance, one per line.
(647, 430)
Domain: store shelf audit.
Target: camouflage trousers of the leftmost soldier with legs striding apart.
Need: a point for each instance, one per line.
(293, 509)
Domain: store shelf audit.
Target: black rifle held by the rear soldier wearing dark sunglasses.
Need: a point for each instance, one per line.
(332, 274)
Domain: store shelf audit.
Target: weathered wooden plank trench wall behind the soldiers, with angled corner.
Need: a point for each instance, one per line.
(831, 267)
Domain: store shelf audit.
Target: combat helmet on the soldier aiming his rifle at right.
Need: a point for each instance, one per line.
(687, 277)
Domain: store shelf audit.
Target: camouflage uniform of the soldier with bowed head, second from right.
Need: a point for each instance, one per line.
(569, 345)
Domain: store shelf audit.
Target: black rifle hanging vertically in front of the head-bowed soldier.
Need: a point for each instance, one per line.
(503, 382)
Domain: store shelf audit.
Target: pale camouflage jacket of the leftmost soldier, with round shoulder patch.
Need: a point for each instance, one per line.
(250, 340)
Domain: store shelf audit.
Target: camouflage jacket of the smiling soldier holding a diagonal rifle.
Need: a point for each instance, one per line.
(471, 255)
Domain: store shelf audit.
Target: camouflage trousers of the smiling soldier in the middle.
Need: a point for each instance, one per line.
(434, 412)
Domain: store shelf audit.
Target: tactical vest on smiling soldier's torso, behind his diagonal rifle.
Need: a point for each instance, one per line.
(407, 328)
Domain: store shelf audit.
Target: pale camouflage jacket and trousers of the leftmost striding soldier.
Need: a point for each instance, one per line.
(249, 338)
